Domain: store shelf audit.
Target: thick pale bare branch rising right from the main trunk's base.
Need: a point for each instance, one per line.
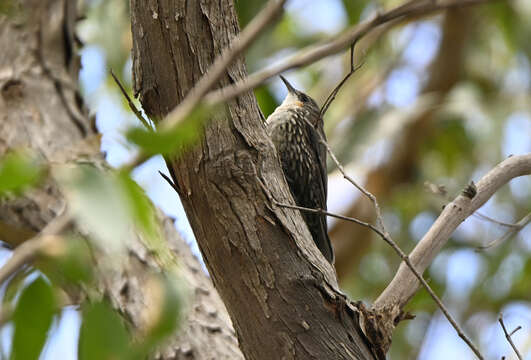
(404, 285)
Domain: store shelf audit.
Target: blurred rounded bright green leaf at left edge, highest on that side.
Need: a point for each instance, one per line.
(19, 170)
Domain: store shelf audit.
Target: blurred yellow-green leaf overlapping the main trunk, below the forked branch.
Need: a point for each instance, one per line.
(173, 140)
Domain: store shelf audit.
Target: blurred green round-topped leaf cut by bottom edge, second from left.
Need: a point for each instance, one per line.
(103, 336)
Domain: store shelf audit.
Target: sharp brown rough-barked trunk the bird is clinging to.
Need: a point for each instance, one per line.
(278, 289)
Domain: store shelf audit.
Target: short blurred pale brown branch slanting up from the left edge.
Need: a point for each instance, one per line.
(28, 251)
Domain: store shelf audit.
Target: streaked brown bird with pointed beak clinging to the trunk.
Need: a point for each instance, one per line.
(296, 129)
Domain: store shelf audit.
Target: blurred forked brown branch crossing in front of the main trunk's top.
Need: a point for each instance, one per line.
(200, 92)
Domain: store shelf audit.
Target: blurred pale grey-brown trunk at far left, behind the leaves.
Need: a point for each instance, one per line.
(41, 109)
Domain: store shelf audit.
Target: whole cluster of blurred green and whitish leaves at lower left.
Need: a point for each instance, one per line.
(107, 205)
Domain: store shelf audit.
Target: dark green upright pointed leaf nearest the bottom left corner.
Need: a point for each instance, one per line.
(32, 319)
